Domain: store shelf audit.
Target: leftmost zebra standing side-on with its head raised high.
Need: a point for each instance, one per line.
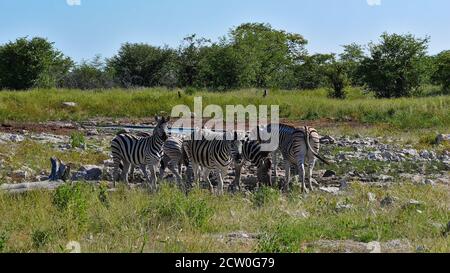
(129, 151)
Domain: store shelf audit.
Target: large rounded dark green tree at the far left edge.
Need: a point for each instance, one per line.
(31, 63)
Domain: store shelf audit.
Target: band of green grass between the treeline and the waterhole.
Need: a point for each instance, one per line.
(403, 113)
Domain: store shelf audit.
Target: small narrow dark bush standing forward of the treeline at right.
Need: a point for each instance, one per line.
(337, 79)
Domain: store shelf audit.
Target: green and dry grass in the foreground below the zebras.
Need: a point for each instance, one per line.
(169, 221)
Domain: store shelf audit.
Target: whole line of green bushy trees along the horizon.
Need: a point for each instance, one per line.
(251, 55)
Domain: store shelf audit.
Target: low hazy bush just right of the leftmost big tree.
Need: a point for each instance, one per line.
(89, 75)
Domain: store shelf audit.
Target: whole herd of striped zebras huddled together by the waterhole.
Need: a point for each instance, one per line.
(205, 151)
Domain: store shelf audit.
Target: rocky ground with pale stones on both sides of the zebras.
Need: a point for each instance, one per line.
(370, 160)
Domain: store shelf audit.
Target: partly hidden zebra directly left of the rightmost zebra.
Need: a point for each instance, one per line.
(251, 152)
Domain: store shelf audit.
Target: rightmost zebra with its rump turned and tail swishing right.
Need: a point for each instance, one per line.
(295, 146)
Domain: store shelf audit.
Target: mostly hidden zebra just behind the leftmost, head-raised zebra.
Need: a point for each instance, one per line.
(174, 156)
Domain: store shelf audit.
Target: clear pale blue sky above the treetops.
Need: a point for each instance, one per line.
(83, 28)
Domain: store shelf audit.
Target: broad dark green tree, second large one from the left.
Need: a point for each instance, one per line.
(140, 64)
